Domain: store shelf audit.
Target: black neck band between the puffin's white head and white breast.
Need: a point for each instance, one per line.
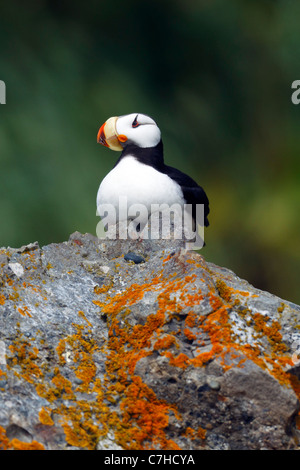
(153, 156)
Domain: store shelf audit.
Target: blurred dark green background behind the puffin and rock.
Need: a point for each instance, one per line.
(215, 75)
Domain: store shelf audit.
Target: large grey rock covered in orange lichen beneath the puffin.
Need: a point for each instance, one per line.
(170, 353)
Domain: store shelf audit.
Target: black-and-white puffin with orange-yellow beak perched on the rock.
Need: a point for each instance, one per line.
(140, 174)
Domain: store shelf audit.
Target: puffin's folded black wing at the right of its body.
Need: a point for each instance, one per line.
(192, 192)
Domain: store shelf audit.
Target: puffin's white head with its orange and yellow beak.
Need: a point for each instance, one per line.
(136, 129)
